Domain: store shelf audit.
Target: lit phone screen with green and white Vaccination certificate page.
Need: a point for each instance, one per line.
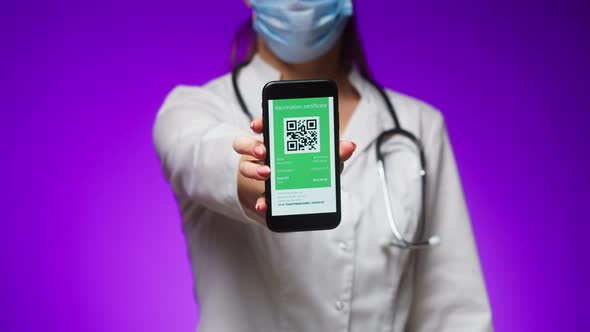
(302, 159)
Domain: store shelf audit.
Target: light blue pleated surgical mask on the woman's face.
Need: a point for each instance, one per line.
(298, 31)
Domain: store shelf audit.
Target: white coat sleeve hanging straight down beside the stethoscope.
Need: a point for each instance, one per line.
(449, 290)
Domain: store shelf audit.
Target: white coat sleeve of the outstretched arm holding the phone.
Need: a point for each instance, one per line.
(193, 134)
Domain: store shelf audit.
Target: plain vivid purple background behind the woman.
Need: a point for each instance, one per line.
(90, 237)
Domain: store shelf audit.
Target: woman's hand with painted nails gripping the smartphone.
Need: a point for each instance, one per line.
(252, 172)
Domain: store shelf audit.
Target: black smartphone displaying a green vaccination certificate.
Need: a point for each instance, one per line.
(301, 139)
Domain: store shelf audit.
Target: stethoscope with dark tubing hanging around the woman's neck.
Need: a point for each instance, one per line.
(401, 241)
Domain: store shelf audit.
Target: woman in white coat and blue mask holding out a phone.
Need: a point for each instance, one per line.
(248, 278)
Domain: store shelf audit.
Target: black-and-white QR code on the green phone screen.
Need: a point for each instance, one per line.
(301, 134)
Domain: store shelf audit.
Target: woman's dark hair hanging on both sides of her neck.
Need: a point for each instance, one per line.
(244, 46)
